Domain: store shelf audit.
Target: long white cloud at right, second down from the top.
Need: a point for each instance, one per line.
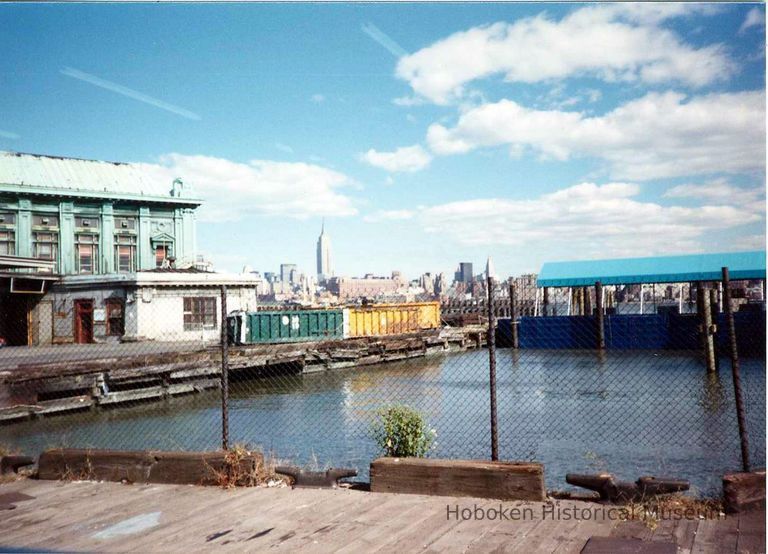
(658, 135)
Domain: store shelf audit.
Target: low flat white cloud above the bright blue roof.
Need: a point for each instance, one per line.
(589, 218)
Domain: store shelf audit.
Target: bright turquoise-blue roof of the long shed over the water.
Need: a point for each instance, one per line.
(658, 269)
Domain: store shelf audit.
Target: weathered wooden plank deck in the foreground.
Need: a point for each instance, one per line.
(87, 516)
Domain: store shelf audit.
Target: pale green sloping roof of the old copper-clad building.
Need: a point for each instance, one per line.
(54, 175)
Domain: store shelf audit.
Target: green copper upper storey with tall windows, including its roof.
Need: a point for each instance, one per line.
(93, 217)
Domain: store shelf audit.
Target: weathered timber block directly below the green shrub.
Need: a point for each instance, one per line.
(476, 478)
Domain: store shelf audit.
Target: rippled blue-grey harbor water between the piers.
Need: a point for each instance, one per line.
(631, 413)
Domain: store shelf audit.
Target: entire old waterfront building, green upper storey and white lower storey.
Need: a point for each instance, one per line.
(118, 246)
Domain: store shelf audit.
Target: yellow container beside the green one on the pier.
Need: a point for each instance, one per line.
(392, 319)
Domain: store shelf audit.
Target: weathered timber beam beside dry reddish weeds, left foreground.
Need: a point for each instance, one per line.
(181, 468)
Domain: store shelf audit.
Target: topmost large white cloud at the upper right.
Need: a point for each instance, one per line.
(614, 42)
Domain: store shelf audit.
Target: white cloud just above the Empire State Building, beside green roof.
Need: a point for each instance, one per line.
(234, 190)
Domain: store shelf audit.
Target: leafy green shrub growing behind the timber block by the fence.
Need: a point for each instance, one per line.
(402, 432)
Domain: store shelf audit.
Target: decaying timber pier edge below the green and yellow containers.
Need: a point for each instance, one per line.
(82, 377)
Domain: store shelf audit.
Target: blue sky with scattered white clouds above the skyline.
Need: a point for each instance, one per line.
(424, 135)
